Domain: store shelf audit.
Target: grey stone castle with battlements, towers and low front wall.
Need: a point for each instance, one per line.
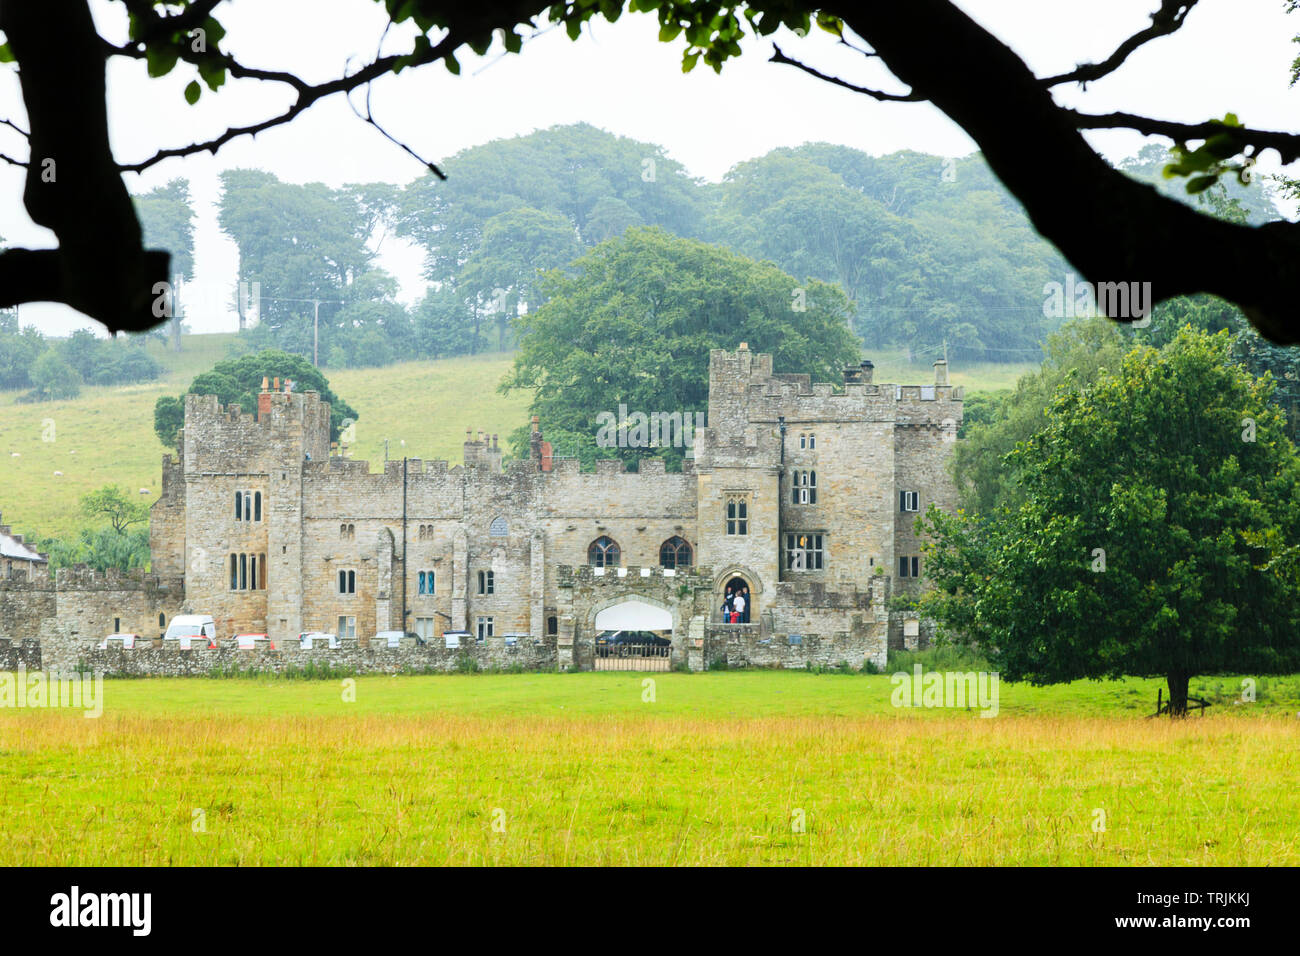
(804, 494)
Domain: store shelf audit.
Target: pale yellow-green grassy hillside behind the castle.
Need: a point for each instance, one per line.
(106, 436)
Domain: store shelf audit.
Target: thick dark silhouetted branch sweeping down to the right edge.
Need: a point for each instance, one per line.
(1107, 224)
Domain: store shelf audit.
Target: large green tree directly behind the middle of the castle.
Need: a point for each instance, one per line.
(634, 322)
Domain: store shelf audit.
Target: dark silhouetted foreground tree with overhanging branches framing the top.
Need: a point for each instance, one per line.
(935, 50)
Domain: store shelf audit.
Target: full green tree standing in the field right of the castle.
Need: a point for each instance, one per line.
(1156, 537)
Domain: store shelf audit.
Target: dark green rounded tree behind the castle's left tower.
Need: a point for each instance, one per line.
(239, 380)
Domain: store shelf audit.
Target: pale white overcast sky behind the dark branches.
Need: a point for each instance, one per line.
(1232, 57)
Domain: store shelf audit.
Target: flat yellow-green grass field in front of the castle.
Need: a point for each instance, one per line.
(722, 768)
